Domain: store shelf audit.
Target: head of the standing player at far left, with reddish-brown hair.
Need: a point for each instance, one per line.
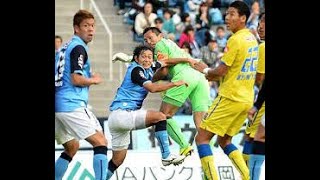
(84, 25)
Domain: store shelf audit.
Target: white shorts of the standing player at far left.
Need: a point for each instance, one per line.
(78, 124)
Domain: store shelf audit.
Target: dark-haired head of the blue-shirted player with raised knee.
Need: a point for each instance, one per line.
(143, 55)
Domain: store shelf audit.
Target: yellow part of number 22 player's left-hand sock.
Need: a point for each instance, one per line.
(208, 168)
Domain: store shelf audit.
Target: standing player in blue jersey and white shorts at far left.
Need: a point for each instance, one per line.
(73, 120)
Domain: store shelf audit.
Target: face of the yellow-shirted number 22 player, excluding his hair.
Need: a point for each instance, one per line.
(233, 21)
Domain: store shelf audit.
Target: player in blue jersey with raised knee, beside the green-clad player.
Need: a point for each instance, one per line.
(126, 113)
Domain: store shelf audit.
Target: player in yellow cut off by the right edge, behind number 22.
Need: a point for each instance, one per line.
(252, 126)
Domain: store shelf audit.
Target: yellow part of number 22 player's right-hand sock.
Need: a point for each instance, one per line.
(238, 161)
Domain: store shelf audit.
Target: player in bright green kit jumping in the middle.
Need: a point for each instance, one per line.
(178, 69)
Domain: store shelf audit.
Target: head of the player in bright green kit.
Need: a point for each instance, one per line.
(152, 35)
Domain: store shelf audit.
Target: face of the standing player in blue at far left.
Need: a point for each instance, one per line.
(86, 30)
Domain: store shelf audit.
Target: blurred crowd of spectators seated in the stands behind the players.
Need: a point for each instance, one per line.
(195, 25)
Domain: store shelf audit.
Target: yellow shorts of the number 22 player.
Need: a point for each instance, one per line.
(225, 116)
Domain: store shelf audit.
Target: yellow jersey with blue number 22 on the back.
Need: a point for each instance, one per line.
(241, 57)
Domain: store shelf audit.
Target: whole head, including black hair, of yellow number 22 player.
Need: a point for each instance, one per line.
(237, 16)
